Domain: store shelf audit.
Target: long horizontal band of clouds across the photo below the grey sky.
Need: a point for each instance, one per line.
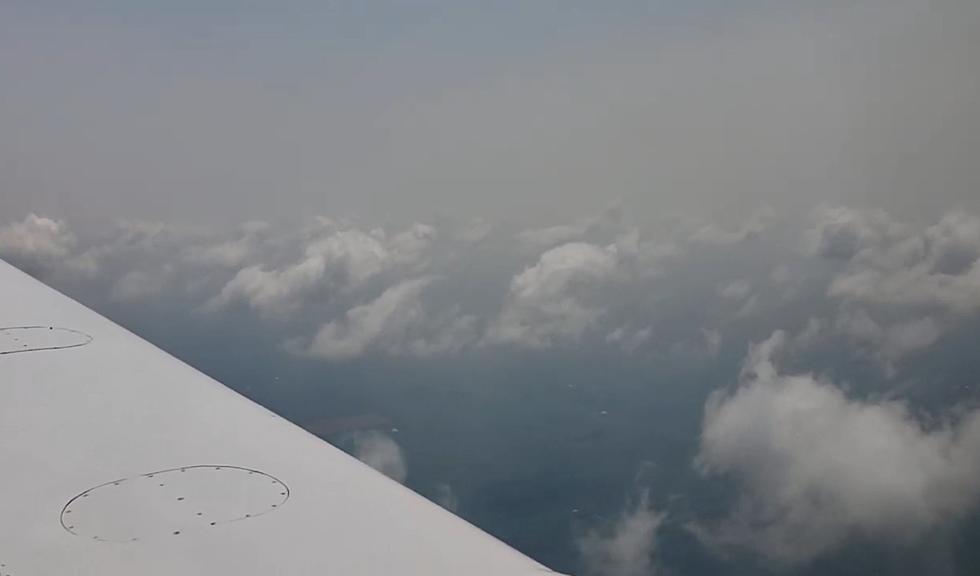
(340, 290)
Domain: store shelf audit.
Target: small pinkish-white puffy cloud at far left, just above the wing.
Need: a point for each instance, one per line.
(36, 239)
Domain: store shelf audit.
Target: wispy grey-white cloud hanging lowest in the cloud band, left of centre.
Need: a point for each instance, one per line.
(396, 322)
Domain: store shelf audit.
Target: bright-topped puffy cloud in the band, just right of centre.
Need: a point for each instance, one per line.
(587, 283)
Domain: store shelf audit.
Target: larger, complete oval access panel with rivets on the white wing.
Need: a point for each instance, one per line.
(172, 502)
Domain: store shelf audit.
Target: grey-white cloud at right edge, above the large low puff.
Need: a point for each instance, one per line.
(924, 281)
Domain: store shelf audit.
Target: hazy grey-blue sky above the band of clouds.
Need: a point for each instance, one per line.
(545, 111)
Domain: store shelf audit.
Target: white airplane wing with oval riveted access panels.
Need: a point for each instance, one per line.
(118, 459)
